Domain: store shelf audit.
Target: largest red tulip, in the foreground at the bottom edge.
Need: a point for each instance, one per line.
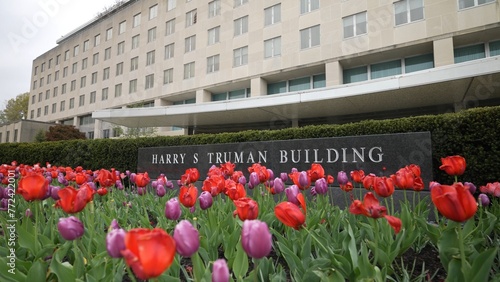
(148, 252)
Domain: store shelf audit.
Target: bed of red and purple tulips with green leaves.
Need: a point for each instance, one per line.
(71, 224)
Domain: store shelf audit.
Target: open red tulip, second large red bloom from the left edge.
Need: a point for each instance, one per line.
(73, 200)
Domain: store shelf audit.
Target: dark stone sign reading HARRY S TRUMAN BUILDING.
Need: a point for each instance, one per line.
(380, 154)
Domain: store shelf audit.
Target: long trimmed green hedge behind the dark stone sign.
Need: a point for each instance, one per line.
(473, 134)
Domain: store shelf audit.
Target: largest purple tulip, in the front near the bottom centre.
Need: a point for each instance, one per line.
(256, 239)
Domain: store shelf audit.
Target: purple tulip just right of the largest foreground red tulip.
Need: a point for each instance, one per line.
(187, 238)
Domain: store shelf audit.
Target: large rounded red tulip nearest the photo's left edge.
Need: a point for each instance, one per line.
(33, 186)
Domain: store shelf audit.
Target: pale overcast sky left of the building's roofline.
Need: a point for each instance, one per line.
(29, 28)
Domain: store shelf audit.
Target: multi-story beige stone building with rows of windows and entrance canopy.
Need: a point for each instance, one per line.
(225, 65)
